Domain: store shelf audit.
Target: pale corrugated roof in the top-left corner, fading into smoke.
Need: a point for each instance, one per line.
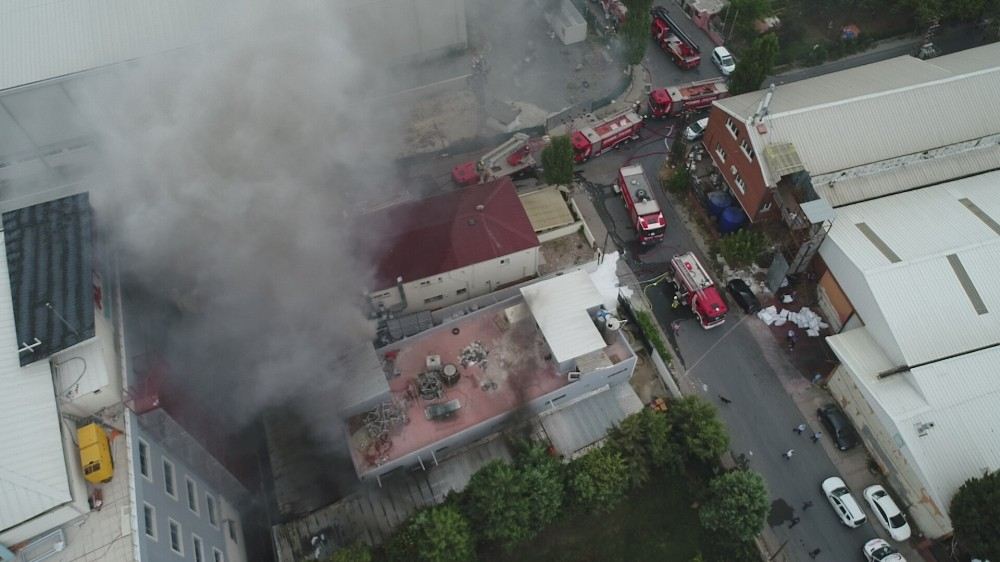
(43, 39)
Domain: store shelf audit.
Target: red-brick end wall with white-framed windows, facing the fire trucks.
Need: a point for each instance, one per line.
(724, 147)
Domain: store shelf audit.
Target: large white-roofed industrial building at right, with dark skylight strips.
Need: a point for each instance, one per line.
(916, 285)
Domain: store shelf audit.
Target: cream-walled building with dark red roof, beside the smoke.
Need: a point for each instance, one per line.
(450, 248)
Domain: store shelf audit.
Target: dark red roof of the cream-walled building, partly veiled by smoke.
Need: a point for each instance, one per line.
(439, 234)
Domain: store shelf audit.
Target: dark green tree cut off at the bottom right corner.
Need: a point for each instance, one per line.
(975, 516)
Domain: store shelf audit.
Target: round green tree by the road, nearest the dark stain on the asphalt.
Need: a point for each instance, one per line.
(736, 507)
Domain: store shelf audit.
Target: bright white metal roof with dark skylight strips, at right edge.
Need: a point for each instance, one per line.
(929, 263)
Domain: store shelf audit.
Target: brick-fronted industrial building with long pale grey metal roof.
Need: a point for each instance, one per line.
(858, 134)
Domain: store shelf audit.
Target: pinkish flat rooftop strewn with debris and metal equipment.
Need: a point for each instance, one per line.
(502, 361)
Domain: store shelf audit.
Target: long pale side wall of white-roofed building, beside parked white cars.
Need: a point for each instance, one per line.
(888, 449)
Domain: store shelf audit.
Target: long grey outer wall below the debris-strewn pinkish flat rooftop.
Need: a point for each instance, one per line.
(616, 374)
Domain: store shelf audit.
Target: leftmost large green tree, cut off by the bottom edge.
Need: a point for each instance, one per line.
(436, 534)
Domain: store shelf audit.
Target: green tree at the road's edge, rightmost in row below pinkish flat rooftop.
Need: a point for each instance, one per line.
(697, 429)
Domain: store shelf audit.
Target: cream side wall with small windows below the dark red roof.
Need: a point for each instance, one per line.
(446, 289)
